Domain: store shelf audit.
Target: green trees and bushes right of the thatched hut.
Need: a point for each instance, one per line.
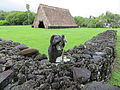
(108, 19)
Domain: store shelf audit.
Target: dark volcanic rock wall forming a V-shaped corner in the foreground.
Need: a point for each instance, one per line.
(90, 65)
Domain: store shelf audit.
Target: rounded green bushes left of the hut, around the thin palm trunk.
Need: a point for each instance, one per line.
(20, 18)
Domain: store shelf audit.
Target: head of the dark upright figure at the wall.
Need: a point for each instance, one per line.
(58, 41)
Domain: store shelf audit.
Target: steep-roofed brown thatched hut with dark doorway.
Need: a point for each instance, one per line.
(53, 17)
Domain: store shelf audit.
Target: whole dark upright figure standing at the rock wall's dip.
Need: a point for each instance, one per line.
(55, 49)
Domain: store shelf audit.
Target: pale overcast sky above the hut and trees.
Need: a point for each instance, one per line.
(83, 8)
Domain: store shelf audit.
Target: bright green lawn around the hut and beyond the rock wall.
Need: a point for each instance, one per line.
(39, 39)
